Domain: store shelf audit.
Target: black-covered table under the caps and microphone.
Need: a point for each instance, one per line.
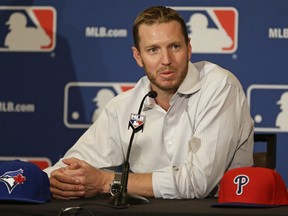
(163, 207)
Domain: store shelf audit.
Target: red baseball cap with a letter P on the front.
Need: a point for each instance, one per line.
(252, 187)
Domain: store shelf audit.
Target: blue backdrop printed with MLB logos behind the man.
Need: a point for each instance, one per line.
(70, 57)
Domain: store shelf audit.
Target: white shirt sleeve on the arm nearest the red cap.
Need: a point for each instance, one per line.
(222, 137)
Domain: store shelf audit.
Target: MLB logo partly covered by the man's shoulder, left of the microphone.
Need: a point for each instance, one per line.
(84, 101)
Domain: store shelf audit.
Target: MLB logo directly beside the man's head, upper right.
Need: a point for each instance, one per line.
(211, 29)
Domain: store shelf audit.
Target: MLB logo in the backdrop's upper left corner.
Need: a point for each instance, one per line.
(27, 29)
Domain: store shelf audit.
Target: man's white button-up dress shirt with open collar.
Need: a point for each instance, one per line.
(207, 130)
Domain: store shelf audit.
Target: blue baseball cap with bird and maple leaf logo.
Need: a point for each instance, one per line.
(22, 181)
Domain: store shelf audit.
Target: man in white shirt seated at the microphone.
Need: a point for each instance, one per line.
(196, 128)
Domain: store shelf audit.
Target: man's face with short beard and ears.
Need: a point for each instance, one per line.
(163, 54)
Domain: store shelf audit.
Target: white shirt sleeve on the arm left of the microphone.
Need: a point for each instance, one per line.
(99, 145)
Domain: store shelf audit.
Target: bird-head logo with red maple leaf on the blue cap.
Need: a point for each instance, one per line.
(12, 179)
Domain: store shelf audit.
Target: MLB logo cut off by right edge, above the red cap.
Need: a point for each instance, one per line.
(269, 107)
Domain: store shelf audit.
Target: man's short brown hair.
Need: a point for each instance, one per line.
(157, 14)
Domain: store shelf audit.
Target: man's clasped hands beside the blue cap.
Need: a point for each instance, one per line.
(78, 179)
